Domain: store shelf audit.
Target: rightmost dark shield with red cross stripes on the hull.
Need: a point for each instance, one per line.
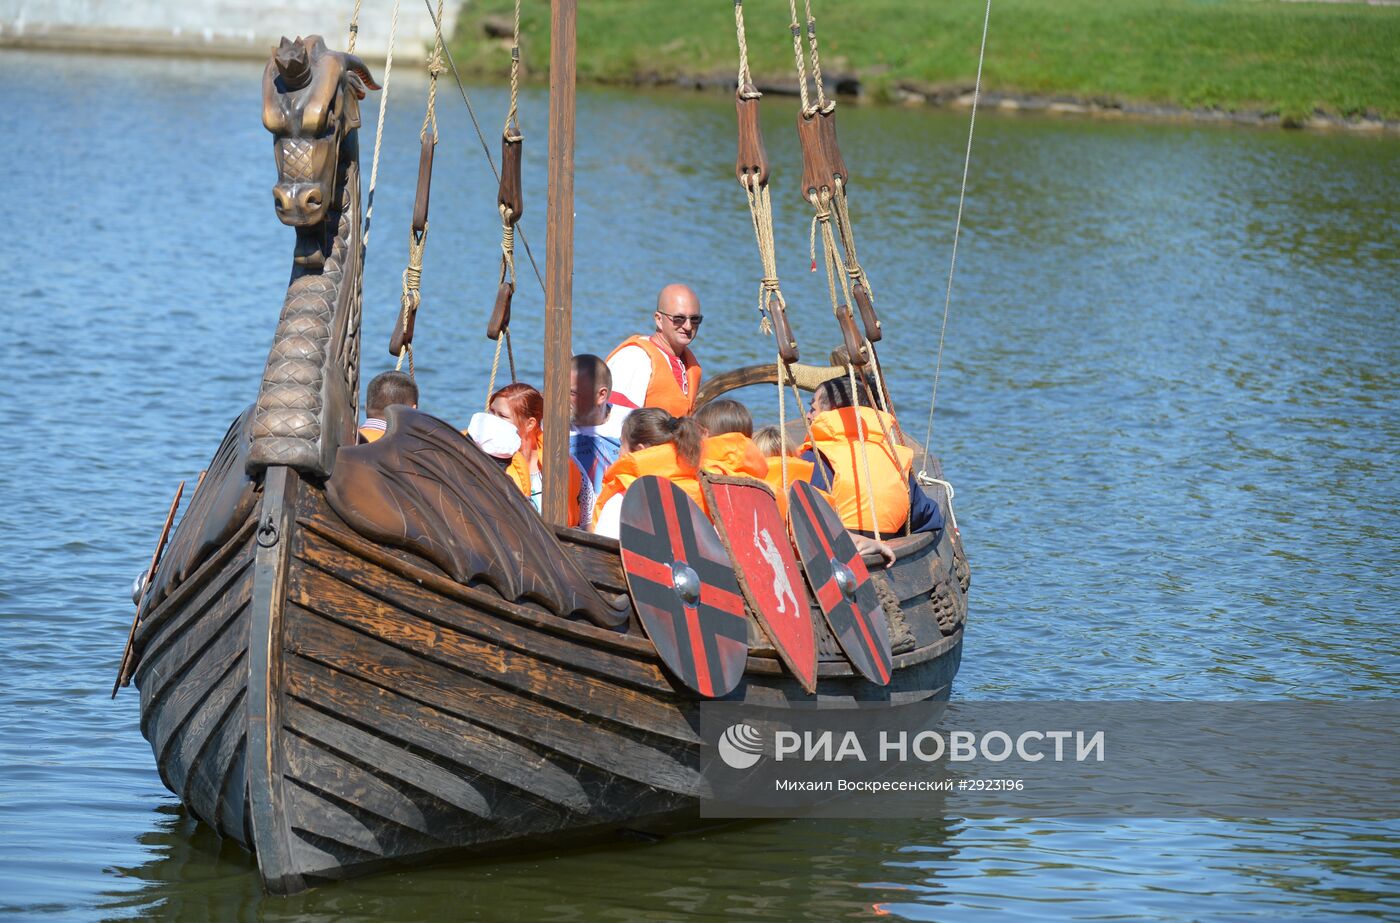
(841, 583)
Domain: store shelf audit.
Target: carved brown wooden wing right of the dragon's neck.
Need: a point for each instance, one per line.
(429, 490)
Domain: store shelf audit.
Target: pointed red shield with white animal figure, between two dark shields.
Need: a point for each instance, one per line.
(751, 527)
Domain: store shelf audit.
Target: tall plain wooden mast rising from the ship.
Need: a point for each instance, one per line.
(559, 261)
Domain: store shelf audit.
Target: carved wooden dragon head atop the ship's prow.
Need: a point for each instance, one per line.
(311, 102)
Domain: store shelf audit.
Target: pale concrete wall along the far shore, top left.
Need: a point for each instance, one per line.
(232, 29)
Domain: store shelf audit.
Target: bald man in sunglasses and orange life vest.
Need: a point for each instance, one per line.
(660, 370)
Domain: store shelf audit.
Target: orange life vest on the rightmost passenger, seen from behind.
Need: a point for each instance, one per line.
(838, 439)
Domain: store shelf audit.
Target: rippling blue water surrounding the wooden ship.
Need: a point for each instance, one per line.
(1168, 403)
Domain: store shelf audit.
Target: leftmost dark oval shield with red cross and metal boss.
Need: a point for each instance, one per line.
(684, 588)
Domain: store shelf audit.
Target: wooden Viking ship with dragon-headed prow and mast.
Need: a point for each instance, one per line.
(363, 656)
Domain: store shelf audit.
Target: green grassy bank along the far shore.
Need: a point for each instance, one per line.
(1263, 57)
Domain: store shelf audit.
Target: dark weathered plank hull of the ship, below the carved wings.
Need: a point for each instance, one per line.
(338, 707)
